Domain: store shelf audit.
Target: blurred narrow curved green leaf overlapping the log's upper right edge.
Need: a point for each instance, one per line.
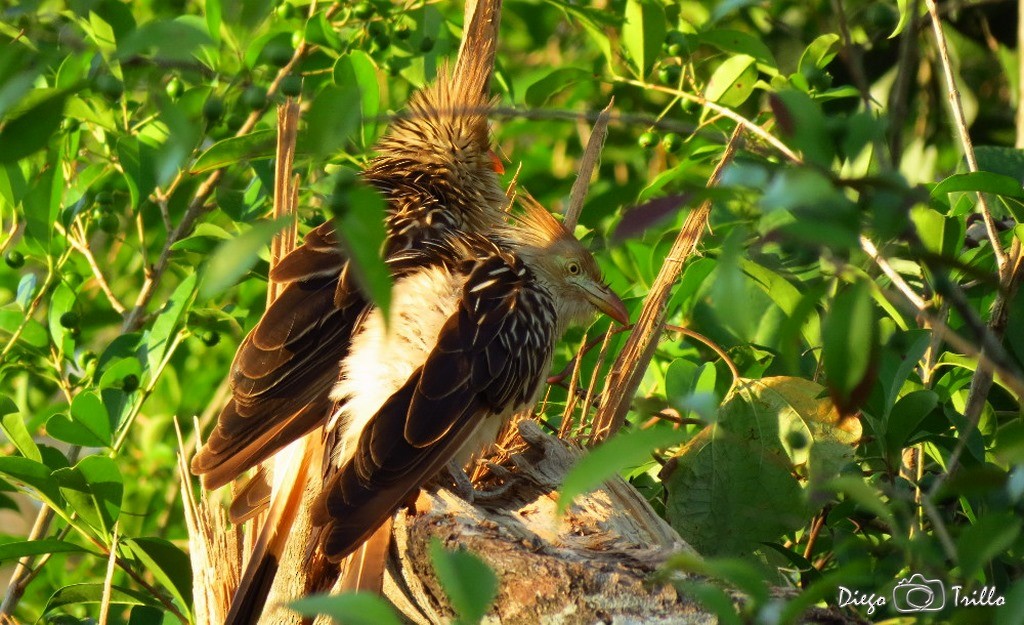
(619, 453)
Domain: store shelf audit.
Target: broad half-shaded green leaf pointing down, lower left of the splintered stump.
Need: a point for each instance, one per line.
(95, 489)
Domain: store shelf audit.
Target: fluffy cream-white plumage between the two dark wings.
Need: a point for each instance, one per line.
(382, 359)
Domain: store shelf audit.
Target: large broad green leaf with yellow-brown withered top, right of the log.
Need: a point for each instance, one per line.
(732, 486)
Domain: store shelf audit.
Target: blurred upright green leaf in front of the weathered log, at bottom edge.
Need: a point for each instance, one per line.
(471, 585)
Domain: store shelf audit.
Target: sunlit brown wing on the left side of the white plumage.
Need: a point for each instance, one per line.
(285, 368)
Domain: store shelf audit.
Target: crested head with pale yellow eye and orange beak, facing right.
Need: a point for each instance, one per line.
(564, 267)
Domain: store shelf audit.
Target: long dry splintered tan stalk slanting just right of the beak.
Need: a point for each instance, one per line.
(629, 368)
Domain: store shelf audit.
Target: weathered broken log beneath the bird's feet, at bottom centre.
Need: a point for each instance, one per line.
(593, 565)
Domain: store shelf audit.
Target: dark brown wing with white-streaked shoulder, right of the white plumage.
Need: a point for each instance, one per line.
(489, 359)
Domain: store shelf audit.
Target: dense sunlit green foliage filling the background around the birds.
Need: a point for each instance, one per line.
(846, 447)
